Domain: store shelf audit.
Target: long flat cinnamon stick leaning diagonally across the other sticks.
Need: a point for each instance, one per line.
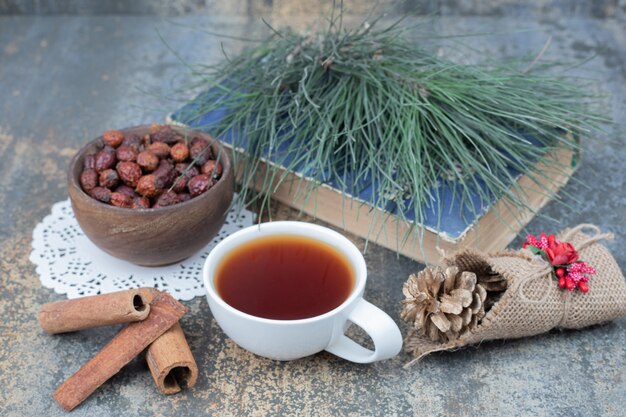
(128, 343)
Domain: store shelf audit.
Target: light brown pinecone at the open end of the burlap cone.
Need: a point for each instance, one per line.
(443, 304)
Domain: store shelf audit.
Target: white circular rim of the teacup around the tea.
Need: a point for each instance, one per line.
(288, 227)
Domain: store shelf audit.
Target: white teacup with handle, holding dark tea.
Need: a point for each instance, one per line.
(292, 339)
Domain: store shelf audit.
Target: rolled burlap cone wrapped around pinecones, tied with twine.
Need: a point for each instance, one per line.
(533, 303)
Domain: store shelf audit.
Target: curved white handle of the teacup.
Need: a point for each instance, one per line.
(379, 326)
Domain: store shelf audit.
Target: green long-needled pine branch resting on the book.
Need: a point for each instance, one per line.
(369, 102)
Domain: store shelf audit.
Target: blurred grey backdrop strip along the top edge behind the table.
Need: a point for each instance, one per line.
(570, 8)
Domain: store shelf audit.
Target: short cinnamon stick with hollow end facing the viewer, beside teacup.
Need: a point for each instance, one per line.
(171, 362)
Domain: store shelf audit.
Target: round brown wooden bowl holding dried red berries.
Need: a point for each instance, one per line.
(157, 236)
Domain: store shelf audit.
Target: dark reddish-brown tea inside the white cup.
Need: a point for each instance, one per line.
(284, 278)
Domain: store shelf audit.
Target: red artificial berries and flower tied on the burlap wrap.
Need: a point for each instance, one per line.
(569, 271)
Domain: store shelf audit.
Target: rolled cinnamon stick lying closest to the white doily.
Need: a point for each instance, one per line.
(94, 311)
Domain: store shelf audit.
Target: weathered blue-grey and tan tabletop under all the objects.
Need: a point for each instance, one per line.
(64, 80)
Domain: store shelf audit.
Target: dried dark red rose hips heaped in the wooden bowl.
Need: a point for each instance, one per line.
(159, 169)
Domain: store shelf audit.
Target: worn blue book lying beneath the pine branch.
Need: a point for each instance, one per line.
(449, 224)
